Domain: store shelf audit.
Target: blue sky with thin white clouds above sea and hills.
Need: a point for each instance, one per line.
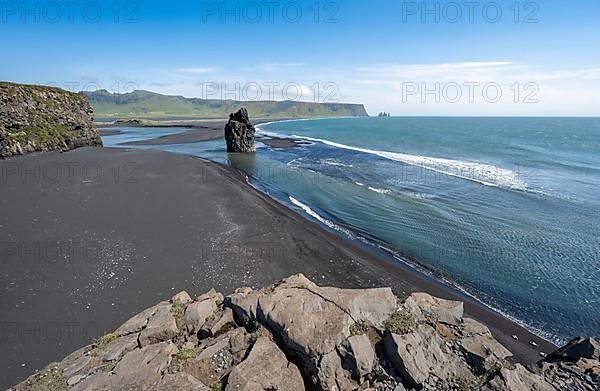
(544, 60)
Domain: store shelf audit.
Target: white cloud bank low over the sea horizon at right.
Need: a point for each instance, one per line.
(526, 89)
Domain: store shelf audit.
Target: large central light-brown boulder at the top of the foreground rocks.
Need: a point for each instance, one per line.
(313, 322)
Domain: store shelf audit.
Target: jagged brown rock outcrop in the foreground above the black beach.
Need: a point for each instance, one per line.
(296, 335)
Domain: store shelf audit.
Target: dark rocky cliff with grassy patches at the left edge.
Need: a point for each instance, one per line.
(36, 118)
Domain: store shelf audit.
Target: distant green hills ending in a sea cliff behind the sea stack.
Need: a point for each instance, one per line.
(145, 104)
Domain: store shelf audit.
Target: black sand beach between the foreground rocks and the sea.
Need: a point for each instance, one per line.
(119, 230)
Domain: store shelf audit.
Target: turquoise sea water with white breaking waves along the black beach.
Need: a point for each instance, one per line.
(506, 209)
